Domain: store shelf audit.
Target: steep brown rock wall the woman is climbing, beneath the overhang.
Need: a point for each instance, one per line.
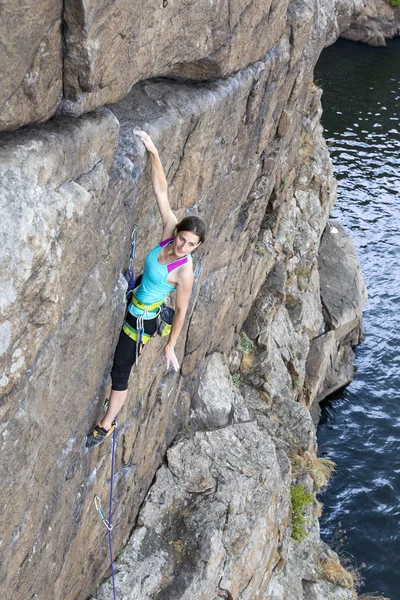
(75, 199)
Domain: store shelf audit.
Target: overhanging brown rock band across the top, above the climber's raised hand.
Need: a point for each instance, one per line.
(79, 56)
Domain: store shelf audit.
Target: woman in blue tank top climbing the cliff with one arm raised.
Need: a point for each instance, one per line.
(168, 266)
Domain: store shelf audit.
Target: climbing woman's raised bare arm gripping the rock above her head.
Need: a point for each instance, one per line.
(160, 185)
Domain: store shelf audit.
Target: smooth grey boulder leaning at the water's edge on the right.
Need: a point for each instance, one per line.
(329, 364)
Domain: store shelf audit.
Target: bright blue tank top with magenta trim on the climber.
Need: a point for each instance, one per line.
(154, 286)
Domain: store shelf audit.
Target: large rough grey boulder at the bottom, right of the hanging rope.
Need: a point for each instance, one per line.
(211, 522)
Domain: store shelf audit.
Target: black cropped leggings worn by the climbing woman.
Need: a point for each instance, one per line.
(125, 354)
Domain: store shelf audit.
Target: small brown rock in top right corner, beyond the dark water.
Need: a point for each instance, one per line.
(377, 22)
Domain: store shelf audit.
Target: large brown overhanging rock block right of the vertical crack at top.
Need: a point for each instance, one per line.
(112, 46)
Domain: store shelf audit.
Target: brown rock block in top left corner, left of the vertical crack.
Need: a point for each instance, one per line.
(30, 62)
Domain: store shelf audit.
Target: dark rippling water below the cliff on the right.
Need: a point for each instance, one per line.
(360, 428)
